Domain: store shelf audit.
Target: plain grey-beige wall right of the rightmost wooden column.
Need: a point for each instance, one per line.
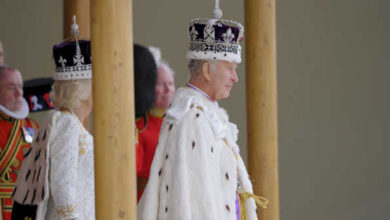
(334, 102)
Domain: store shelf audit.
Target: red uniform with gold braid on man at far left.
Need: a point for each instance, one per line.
(14, 137)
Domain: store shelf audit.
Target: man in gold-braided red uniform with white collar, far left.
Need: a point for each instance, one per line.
(16, 134)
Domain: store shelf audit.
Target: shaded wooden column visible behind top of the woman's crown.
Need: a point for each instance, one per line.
(80, 8)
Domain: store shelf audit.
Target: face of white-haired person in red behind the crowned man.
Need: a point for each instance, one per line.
(165, 88)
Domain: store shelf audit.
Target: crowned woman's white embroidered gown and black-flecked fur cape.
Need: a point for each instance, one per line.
(58, 172)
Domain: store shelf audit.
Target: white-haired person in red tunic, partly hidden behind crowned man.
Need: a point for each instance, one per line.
(148, 125)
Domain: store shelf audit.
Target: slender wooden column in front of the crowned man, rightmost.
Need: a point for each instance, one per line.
(262, 102)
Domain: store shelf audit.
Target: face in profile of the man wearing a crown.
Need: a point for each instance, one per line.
(222, 80)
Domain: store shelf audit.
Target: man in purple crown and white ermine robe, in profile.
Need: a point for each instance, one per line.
(197, 170)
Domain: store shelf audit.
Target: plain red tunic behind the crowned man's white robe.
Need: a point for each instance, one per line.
(148, 131)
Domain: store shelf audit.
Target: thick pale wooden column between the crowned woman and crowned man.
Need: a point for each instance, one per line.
(113, 104)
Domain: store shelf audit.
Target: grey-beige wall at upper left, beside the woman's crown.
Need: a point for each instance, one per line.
(28, 30)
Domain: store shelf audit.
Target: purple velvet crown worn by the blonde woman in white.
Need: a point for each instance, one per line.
(73, 59)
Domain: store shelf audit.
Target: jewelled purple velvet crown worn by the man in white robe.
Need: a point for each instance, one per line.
(215, 38)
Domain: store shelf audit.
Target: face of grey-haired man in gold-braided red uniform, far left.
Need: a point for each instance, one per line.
(11, 90)
